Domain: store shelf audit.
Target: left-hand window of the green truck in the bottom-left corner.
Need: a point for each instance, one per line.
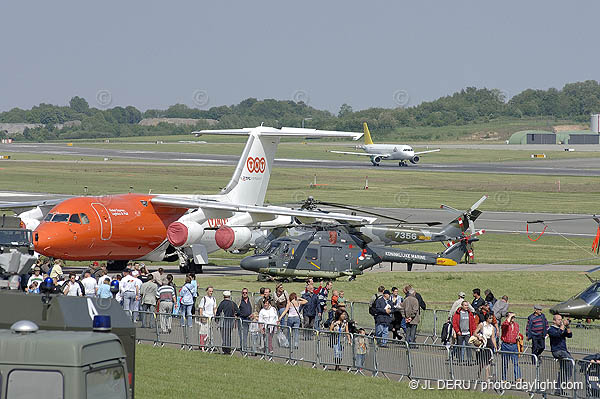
(48, 384)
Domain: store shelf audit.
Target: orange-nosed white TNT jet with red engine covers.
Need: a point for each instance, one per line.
(124, 227)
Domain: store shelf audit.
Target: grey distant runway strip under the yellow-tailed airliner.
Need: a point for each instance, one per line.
(568, 167)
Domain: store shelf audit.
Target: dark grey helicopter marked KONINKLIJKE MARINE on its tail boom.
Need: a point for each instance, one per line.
(336, 251)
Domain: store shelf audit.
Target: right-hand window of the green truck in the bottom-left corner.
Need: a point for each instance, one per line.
(106, 383)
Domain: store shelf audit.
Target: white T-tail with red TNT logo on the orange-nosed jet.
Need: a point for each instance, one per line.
(248, 185)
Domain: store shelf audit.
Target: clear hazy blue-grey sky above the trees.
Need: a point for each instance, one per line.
(152, 54)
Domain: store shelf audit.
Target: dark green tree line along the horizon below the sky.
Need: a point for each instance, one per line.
(575, 101)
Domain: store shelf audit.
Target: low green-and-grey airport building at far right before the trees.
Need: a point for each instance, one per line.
(591, 136)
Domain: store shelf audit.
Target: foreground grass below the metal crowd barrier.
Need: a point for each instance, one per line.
(170, 373)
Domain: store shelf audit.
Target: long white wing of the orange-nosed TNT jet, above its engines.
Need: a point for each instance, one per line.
(179, 202)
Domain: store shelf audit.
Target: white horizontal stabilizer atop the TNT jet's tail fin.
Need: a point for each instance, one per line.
(283, 132)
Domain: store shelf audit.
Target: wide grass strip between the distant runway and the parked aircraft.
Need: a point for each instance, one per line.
(386, 188)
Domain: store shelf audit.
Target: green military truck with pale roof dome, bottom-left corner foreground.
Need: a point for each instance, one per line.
(61, 364)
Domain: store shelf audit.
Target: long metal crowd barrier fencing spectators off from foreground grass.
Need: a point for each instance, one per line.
(361, 354)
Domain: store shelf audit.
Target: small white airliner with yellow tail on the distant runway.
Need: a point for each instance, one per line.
(387, 152)
